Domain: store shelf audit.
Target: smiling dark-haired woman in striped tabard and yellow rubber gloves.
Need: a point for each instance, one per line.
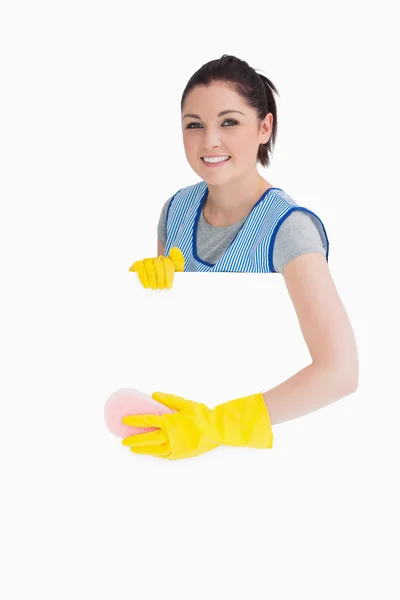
(236, 221)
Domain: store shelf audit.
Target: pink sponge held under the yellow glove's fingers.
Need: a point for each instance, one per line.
(125, 402)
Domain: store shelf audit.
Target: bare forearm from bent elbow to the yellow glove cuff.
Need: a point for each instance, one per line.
(310, 389)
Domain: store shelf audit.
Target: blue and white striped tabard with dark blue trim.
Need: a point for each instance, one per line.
(251, 250)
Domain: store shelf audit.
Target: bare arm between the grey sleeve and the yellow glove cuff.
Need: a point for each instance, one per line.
(329, 336)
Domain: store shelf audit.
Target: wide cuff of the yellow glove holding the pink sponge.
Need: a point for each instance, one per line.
(242, 422)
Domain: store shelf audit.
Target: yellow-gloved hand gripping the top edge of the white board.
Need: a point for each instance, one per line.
(158, 273)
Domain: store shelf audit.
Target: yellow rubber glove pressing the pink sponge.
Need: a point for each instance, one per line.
(195, 429)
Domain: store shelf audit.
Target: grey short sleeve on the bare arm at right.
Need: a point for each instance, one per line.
(297, 235)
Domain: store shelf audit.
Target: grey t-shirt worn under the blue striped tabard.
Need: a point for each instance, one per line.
(297, 235)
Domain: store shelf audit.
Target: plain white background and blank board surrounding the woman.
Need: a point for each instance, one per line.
(91, 148)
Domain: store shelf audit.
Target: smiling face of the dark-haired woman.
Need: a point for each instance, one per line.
(235, 134)
